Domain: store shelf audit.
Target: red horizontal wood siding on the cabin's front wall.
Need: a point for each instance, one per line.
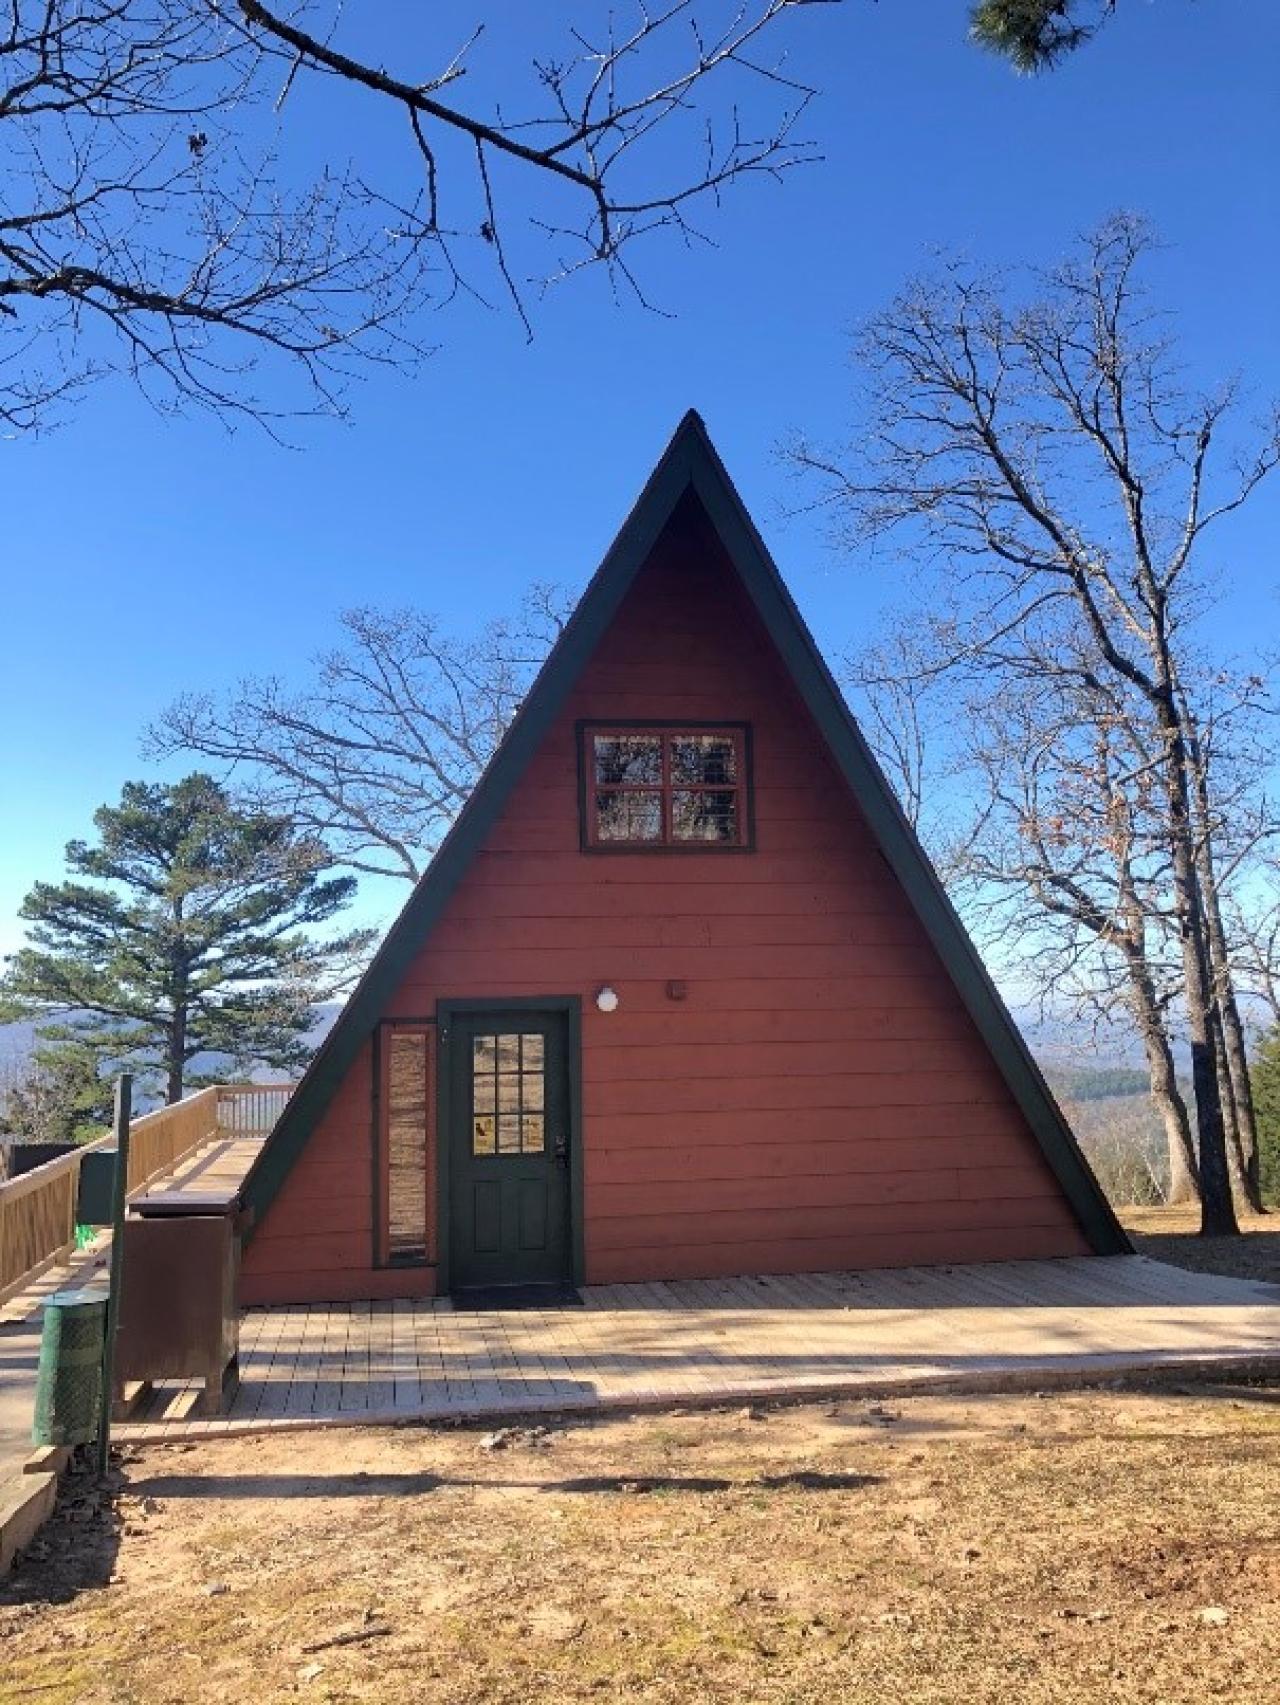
(821, 1099)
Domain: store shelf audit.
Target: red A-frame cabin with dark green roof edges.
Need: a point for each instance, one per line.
(681, 995)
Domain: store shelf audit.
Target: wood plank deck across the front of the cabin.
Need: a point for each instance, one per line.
(705, 1343)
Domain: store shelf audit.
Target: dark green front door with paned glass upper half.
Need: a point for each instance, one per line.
(509, 1150)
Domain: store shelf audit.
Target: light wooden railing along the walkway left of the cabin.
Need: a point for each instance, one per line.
(38, 1208)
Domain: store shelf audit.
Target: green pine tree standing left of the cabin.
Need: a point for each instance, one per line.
(188, 932)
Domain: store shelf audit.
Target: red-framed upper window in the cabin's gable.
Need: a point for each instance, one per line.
(666, 787)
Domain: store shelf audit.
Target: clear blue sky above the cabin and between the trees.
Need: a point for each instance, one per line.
(146, 557)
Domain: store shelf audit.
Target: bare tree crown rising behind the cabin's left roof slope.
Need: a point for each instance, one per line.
(381, 751)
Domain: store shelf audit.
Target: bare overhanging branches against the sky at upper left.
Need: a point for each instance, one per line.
(161, 214)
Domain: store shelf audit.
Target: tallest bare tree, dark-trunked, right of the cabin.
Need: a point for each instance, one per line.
(1049, 459)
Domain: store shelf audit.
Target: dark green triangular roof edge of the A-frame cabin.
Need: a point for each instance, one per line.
(691, 465)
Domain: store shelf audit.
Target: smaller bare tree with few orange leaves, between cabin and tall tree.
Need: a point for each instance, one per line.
(1059, 860)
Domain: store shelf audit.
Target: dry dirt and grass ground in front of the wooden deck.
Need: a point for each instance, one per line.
(1090, 1547)
